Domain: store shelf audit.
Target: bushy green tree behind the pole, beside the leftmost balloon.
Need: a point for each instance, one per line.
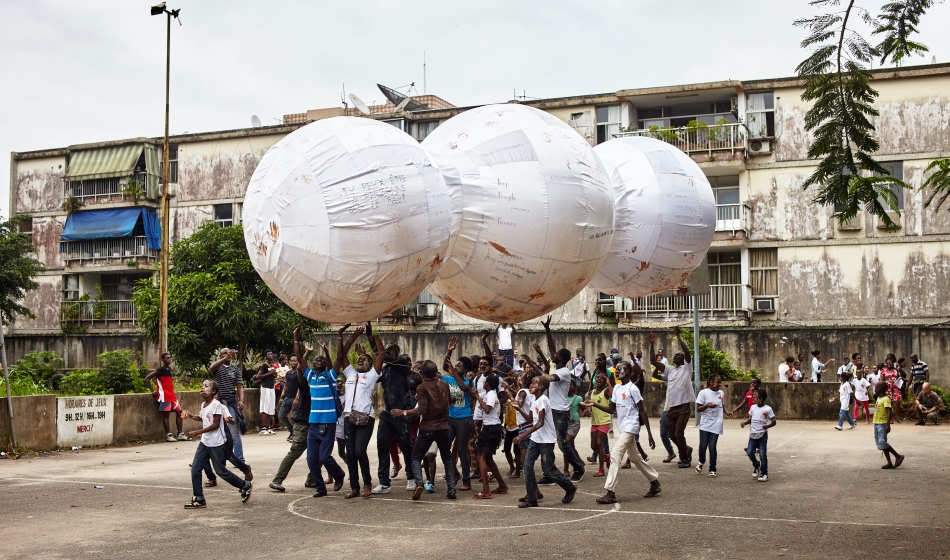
(216, 299)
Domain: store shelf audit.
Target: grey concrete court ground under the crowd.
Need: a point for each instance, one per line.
(827, 497)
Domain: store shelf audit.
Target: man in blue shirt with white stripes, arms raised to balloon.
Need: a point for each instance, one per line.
(324, 400)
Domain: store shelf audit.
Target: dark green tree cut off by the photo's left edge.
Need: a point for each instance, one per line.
(18, 270)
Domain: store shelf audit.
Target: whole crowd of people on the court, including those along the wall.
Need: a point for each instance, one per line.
(462, 414)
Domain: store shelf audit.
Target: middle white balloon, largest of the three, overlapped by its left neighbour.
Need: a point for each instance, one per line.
(533, 213)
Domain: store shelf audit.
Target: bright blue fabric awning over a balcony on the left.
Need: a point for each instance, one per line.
(120, 222)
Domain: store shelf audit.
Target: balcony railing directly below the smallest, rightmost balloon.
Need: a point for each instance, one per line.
(722, 299)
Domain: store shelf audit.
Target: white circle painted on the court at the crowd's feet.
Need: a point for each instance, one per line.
(473, 515)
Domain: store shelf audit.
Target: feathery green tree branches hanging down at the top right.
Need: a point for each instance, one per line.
(838, 83)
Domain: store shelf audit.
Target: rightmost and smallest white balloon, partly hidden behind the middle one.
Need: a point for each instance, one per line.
(665, 217)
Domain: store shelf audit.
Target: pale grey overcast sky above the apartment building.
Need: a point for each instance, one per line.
(94, 70)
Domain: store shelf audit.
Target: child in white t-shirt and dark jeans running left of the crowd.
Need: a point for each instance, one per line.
(213, 446)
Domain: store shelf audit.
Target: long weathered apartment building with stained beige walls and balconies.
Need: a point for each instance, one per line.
(785, 276)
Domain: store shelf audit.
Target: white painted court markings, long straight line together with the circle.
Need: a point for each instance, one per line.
(470, 503)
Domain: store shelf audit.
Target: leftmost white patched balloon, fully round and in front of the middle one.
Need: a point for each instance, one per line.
(346, 219)
